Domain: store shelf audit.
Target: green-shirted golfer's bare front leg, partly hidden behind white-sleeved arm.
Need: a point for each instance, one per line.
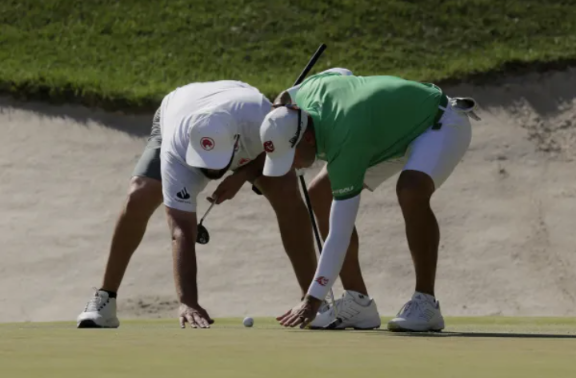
(321, 198)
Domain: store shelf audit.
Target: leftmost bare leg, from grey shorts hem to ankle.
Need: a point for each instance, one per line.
(144, 197)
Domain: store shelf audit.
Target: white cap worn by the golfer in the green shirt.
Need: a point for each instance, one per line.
(280, 134)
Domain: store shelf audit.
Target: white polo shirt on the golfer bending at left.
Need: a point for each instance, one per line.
(181, 183)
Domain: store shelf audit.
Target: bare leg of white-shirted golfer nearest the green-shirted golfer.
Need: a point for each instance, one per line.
(294, 222)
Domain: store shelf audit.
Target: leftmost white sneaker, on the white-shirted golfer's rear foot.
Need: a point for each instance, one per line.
(100, 312)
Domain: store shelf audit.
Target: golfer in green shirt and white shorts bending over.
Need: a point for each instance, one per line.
(367, 129)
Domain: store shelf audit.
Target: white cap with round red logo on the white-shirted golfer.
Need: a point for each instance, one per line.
(212, 139)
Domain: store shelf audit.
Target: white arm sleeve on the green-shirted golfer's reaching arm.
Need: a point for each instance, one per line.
(342, 219)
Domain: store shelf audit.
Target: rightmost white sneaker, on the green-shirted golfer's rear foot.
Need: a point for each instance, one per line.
(419, 314)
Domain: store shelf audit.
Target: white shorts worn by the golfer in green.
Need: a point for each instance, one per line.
(435, 152)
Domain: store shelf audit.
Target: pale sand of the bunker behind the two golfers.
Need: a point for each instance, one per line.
(507, 218)
